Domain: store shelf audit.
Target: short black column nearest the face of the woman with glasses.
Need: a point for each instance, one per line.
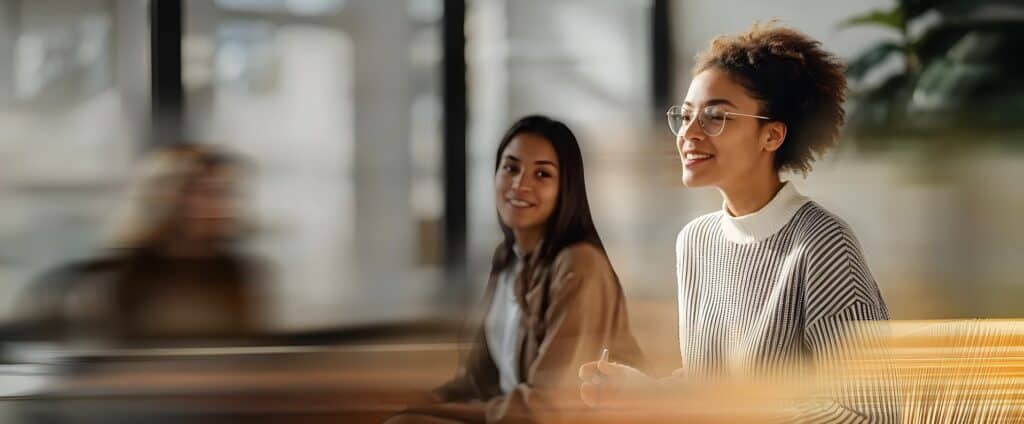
(663, 61)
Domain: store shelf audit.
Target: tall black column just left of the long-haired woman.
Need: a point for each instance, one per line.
(454, 87)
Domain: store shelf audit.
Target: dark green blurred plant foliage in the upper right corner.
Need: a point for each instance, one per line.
(960, 76)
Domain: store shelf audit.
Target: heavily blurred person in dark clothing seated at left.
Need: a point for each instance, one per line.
(174, 271)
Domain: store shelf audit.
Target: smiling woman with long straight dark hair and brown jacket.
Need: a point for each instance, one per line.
(553, 300)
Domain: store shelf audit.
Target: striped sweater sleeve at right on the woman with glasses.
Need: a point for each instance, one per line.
(841, 300)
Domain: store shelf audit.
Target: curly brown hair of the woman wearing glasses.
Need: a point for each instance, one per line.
(796, 82)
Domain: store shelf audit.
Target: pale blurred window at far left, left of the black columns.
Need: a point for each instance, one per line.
(74, 106)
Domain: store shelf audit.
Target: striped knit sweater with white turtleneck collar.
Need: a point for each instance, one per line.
(772, 288)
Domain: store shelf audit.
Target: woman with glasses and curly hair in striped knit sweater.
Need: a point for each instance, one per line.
(774, 279)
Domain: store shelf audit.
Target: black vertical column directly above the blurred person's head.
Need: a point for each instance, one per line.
(167, 90)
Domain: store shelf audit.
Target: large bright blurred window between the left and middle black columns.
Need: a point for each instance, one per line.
(336, 103)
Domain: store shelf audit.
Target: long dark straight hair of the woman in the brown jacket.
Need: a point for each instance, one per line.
(571, 223)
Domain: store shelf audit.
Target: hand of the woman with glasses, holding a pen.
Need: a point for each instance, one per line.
(604, 383)
